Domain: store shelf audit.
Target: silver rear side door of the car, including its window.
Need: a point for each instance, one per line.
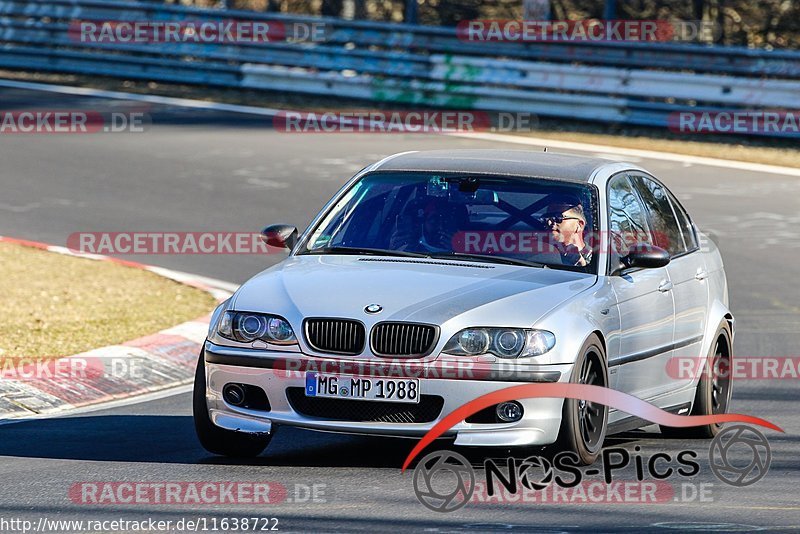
(674, 231)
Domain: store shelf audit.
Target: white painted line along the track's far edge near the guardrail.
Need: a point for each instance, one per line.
(485, 136)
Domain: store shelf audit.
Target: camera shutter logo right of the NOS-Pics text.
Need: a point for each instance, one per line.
(740, 455)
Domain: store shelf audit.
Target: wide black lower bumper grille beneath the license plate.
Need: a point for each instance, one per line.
(428, 409)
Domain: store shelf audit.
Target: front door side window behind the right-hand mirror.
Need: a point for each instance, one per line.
(627, 221)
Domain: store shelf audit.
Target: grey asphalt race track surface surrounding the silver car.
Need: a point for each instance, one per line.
(212, 171)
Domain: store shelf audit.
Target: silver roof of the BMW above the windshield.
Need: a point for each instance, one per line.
(507, 162)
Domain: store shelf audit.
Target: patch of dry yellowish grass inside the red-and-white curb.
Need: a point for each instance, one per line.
(54, 305)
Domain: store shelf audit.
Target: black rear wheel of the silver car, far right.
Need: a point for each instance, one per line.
(713, 394)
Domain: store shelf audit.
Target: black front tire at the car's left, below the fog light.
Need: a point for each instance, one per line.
(214, 439)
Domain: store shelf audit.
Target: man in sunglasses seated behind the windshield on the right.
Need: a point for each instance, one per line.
(566, 220)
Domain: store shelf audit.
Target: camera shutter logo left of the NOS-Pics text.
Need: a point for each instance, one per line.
(444, 481)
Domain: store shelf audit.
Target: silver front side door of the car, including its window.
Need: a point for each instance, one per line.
(644, 298)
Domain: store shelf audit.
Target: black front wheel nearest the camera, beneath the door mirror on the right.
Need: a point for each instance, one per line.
(583, 423)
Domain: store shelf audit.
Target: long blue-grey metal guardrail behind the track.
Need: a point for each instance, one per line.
(411, 64)
